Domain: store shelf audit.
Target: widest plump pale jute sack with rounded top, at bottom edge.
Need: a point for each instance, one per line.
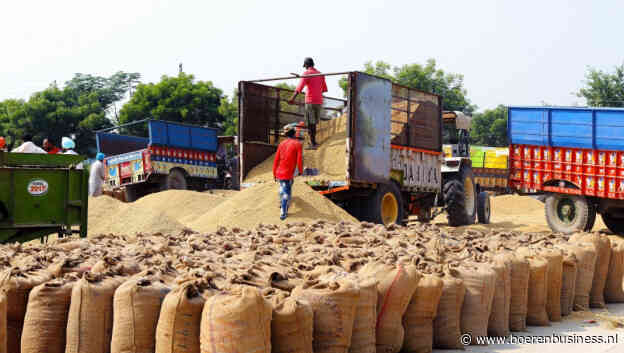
(237, 321)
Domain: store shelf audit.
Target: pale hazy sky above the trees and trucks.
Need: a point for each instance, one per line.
(510, 52)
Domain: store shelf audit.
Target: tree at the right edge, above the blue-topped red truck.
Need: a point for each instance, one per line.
(603, 89)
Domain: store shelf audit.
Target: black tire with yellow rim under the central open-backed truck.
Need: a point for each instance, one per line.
(386, 205)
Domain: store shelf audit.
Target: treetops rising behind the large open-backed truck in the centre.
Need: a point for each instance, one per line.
(426, 78)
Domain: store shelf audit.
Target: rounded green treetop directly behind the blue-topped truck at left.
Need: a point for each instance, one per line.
(179, 99)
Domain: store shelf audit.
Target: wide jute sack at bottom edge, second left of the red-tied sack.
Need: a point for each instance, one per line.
(334, 304)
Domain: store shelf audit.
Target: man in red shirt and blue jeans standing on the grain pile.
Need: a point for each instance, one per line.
(287, 158)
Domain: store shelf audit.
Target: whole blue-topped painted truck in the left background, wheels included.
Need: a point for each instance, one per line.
(172, 156)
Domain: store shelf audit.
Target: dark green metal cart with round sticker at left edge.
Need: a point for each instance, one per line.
(42, 194)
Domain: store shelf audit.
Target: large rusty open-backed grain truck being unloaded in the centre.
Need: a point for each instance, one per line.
(393, 148)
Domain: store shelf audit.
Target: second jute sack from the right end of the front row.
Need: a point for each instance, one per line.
(603, 255)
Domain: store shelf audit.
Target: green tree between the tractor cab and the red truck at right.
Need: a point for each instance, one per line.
(490, 127)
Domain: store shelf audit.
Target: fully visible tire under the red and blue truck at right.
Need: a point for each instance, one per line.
(567, 213)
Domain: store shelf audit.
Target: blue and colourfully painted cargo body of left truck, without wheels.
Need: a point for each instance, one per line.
(170, 146)
